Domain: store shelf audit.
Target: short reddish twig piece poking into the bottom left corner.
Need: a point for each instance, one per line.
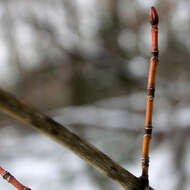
(12, 180)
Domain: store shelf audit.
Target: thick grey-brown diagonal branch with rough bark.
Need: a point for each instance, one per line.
(14, 108)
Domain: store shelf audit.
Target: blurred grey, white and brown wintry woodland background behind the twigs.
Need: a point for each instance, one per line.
(85, 63)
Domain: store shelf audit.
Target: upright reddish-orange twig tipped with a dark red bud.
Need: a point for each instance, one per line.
(154, 19)
